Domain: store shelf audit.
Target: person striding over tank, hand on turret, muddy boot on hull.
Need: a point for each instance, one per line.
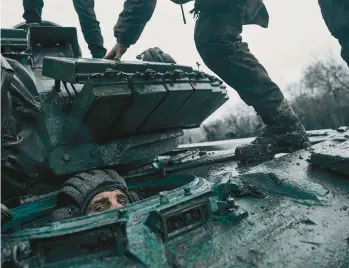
(219, 43)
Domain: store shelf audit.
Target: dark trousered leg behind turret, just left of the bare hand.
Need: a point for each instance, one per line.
(90, 27)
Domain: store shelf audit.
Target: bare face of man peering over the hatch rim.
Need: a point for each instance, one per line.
(106, 201)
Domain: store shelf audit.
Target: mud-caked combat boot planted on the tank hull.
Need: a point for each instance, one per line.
(284, 134)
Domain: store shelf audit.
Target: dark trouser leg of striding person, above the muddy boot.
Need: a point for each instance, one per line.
(219, 43)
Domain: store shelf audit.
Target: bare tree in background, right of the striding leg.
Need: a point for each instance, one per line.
(324, 98)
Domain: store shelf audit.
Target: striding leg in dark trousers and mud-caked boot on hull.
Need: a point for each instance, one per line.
(218, 40)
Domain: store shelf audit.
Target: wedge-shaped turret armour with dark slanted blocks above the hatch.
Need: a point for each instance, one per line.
(101, 112)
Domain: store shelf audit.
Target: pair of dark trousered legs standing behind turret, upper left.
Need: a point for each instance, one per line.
(87, 17)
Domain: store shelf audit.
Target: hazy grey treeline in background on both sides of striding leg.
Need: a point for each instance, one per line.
(320, 99)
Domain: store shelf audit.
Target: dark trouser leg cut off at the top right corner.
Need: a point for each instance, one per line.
(336, 16)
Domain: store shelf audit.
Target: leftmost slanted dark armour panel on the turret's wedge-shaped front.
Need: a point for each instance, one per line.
(97, 108)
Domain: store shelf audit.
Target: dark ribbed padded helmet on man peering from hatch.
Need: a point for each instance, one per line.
(81, 188)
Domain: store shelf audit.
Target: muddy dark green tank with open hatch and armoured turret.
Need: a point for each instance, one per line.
(198, 206)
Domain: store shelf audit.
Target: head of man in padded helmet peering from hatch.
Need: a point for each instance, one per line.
(95, 191)
